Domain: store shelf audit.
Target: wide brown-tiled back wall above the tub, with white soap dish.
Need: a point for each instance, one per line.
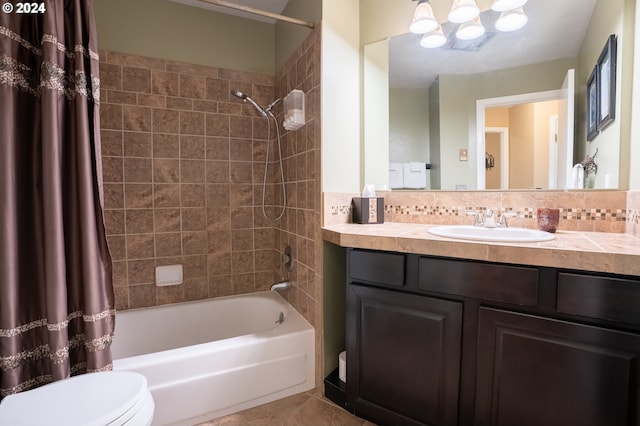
(182, 165)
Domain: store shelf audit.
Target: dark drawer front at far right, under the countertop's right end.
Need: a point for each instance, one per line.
(607, 298)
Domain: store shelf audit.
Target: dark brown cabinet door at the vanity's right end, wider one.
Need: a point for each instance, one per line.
(537, 371)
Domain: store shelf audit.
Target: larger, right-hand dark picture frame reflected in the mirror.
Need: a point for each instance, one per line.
(606, 69)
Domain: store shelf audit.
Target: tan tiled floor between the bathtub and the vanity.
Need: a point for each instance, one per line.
(303, 409)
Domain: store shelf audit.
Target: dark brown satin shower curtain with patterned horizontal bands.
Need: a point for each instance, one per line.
(56, 295)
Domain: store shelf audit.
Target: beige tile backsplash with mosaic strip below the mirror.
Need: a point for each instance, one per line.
(601, 211)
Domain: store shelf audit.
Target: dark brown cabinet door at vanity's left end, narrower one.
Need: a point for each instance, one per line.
(403, 357)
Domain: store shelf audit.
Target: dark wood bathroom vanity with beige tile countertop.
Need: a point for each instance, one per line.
(436, 339)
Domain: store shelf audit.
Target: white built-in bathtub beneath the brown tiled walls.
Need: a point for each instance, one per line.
(211, 358)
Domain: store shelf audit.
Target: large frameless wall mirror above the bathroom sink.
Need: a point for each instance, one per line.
(506, 111)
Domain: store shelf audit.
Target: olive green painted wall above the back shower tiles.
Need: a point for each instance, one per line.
(167, 30)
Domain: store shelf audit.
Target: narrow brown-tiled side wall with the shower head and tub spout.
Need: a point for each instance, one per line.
(300, 226)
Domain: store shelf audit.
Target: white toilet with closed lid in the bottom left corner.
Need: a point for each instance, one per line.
(113, 398)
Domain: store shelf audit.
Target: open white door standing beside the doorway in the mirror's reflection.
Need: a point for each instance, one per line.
(565, 131)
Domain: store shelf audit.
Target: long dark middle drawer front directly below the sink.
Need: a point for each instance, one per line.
(500, 283)
